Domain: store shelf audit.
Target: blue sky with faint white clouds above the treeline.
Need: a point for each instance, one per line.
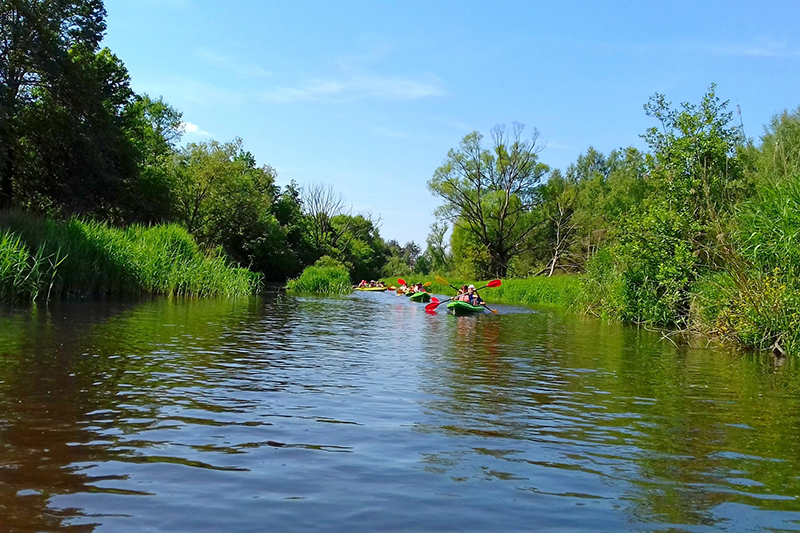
(369, 96)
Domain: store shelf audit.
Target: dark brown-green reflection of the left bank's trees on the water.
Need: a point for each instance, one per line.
(79, 383)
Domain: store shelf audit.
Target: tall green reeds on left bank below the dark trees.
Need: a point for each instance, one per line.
(44, 259)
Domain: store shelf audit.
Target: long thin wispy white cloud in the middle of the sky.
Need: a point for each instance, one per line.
(357, 87)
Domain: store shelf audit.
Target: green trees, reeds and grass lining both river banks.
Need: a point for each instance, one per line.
(699, 232)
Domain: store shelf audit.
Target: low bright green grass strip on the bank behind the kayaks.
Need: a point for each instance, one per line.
(561, 291)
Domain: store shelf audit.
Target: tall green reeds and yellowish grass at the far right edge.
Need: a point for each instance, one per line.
(756, 299)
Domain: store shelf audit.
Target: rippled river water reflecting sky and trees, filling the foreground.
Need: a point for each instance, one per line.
(364, 413)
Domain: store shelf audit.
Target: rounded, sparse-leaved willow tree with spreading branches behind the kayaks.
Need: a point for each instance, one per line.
(490, 192)
